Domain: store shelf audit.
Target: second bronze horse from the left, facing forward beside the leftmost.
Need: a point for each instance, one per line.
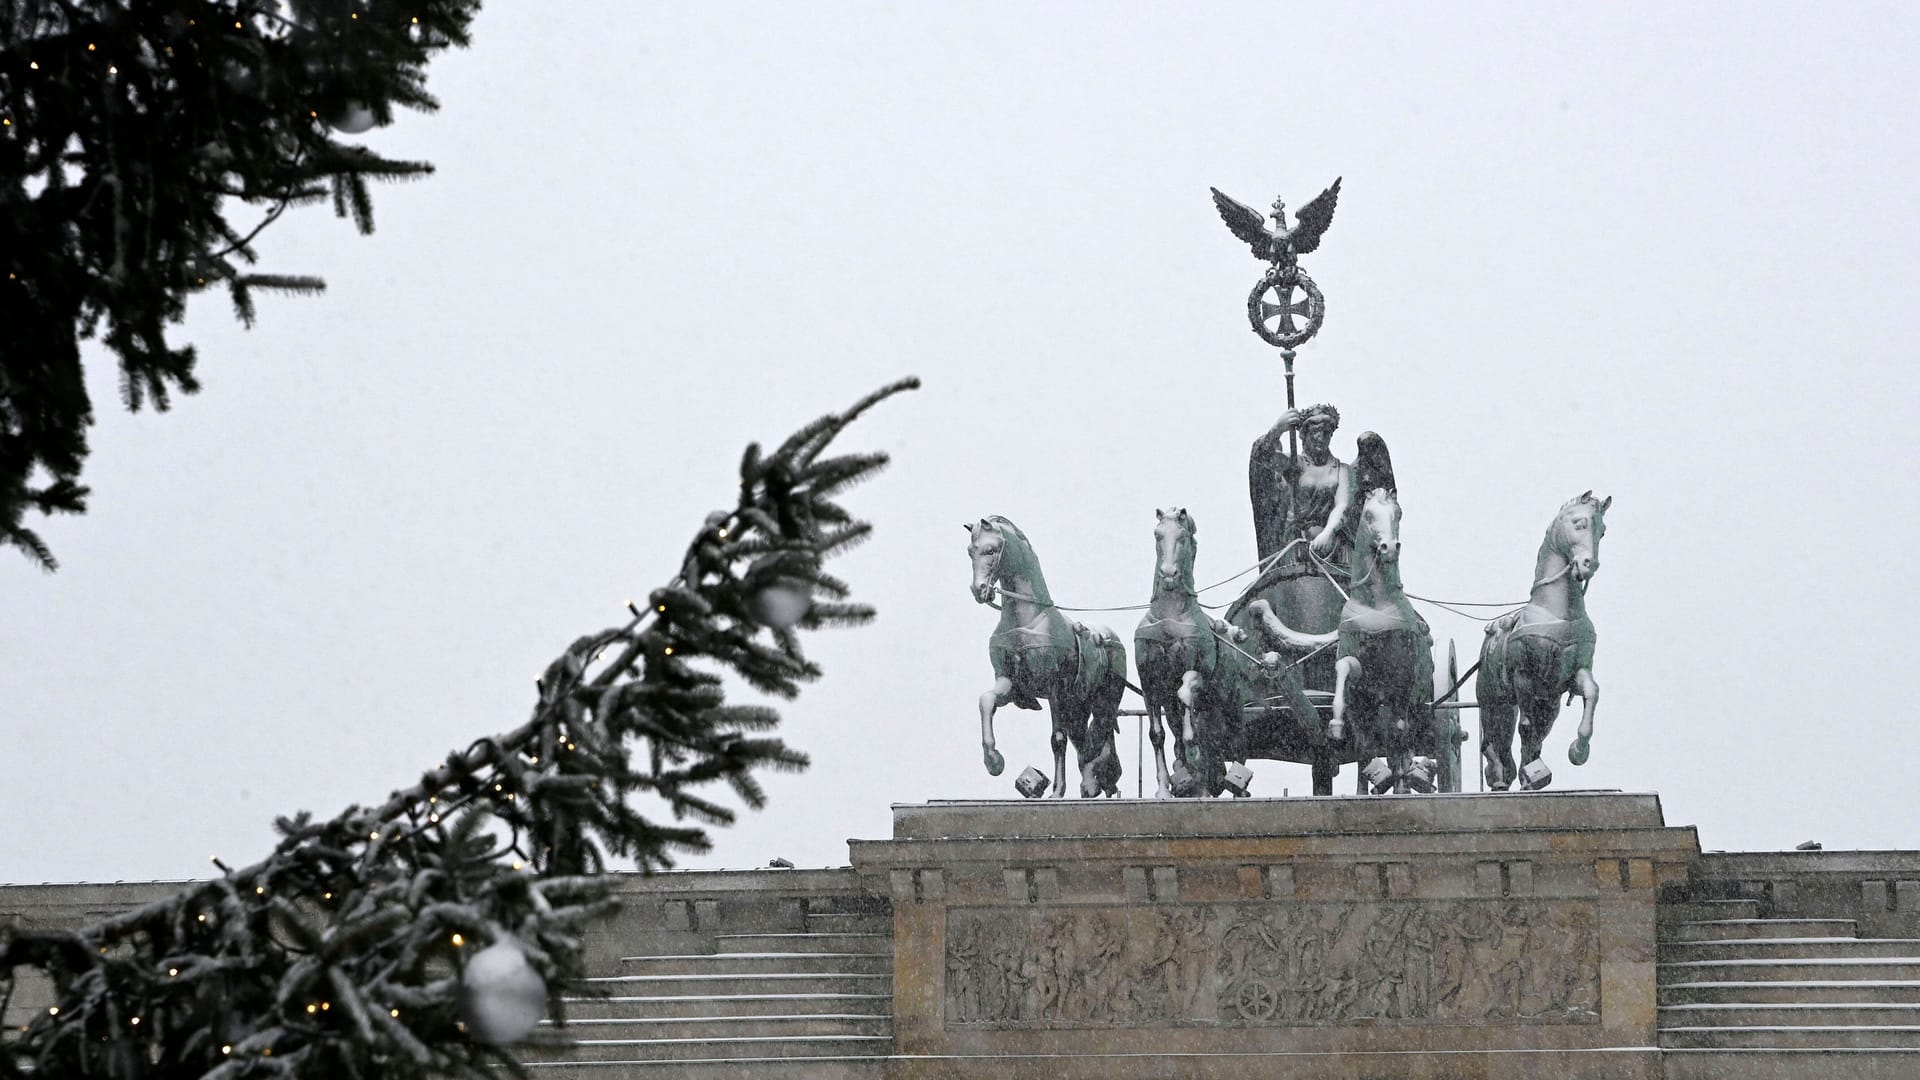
(1193, 668)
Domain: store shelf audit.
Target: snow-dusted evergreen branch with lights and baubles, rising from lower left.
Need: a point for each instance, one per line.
(343, 954)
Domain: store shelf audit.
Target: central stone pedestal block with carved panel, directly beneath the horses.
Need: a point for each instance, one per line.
(1278, 927)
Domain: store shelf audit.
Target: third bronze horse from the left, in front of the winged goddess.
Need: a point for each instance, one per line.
(1383, 675)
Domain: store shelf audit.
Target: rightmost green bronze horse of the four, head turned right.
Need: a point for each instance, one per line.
(1539, 652)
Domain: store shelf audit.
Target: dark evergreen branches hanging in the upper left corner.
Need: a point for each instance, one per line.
(130, 132)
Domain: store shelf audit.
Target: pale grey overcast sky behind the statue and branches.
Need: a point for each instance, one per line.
(1666, 255)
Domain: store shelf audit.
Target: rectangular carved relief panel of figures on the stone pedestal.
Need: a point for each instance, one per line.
(1452, 962)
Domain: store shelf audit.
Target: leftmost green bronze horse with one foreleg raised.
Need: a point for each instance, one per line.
(1038, 652)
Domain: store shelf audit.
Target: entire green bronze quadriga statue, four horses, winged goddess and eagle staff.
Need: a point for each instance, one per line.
(1322, 660)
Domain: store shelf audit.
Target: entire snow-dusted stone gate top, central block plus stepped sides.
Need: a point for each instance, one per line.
(1335, 939)
